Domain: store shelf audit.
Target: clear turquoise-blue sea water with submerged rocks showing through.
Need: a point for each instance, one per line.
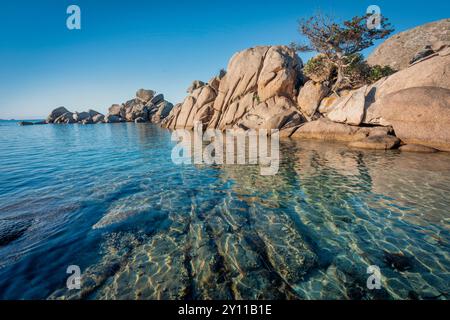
(108, 199)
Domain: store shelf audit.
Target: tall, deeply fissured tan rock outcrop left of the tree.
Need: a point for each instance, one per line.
(258, 91)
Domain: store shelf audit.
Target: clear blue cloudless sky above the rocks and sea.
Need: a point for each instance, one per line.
(160, 45)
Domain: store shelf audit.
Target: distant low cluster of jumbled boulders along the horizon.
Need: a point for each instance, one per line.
(146, 107)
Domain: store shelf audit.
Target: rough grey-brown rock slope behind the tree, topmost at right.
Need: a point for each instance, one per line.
(402, 49)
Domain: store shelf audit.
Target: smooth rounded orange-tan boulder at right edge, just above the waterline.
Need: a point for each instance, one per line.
(418, 115)
